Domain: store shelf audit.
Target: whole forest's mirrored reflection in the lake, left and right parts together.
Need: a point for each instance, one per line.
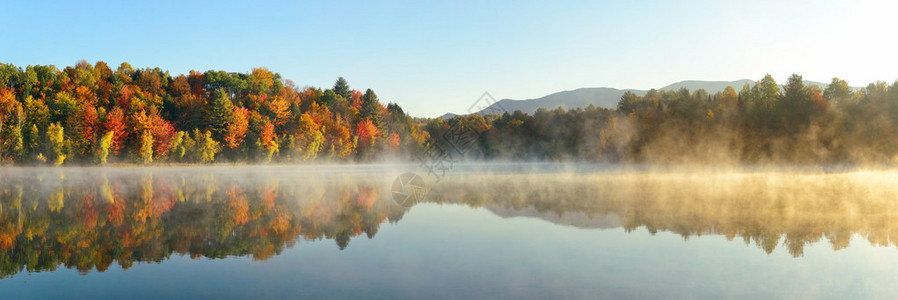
(91, 218)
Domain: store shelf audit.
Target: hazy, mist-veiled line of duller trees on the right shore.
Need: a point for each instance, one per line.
(761, 123)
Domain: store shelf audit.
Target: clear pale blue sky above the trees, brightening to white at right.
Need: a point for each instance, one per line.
(437, 57)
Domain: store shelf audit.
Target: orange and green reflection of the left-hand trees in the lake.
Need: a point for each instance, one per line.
(89, 218)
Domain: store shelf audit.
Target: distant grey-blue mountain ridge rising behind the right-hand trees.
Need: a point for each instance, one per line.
(608, 97)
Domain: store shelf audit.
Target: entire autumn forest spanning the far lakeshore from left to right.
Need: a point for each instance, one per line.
(91, 114)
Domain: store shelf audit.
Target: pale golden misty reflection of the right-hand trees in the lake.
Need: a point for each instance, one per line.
(767, 209)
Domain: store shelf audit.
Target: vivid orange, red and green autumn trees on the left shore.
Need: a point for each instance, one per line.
(91, 114)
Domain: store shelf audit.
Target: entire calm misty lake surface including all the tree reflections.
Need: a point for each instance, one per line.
(512, 231)
